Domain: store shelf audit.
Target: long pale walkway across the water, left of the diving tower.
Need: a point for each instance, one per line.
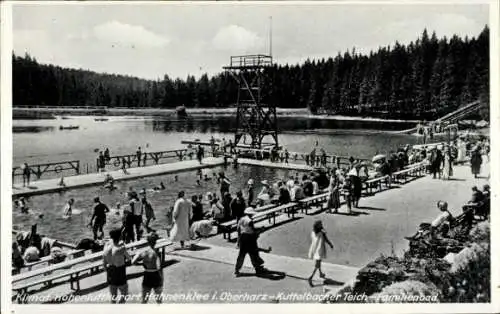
(51, 185)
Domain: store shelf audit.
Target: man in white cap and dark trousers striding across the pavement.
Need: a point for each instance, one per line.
(247, 243)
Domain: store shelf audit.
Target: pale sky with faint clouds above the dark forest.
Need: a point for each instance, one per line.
(150, 40)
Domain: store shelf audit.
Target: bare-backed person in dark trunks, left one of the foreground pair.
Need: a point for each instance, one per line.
(115, 256)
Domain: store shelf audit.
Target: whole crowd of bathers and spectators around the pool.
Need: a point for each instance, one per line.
(187, 219)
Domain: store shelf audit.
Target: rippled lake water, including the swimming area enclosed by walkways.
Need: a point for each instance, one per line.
(39, 141)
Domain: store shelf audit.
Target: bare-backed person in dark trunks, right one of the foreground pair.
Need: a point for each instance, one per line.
(153, 273)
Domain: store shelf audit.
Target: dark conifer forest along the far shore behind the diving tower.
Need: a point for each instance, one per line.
(422, 80)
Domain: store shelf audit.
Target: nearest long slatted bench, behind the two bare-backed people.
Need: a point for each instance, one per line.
(93, 263)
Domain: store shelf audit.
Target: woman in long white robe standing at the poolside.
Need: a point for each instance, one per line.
(182, 214)
